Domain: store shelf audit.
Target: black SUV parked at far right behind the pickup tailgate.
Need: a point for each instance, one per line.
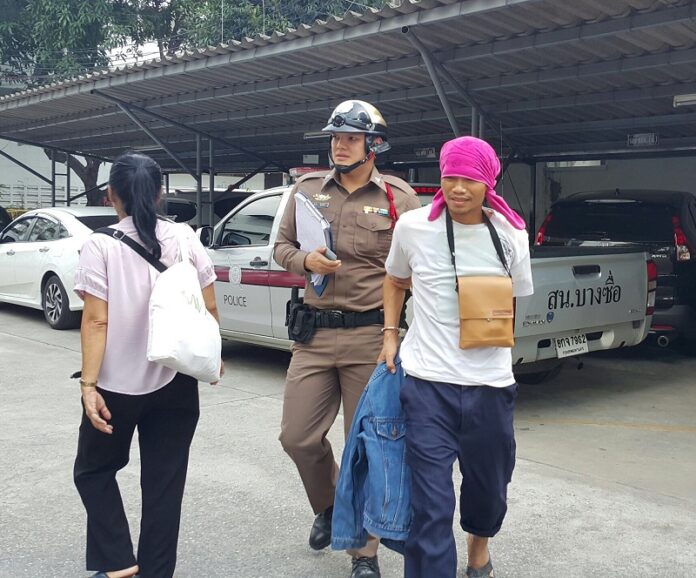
(663, 223)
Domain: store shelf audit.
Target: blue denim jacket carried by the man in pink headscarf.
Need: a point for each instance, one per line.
(373, 493)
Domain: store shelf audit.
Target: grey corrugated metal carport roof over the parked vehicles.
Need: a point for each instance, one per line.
(556, 77)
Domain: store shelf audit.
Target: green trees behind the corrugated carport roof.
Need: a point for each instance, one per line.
(47, 40)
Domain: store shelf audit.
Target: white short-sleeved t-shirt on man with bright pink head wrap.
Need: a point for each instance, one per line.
(419, 250)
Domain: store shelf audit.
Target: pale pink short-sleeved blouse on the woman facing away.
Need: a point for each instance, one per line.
(112, 271)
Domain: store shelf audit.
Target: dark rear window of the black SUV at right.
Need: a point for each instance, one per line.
(627, 222)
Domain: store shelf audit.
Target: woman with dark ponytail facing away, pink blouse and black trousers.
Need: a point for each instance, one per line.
(122, 390)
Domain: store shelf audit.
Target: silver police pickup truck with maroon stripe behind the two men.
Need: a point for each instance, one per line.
(585, 299)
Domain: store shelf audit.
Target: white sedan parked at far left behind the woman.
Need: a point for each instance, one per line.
(39, 252)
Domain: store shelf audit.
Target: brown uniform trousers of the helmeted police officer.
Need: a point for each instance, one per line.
(333, 367)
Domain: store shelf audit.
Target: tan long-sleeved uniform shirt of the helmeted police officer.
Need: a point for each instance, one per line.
(361, 237)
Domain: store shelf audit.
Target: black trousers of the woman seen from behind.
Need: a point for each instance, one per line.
(166, 420)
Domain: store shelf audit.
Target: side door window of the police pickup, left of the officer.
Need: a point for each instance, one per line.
(251, 225)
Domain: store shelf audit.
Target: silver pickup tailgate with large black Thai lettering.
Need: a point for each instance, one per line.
(598, 294)
